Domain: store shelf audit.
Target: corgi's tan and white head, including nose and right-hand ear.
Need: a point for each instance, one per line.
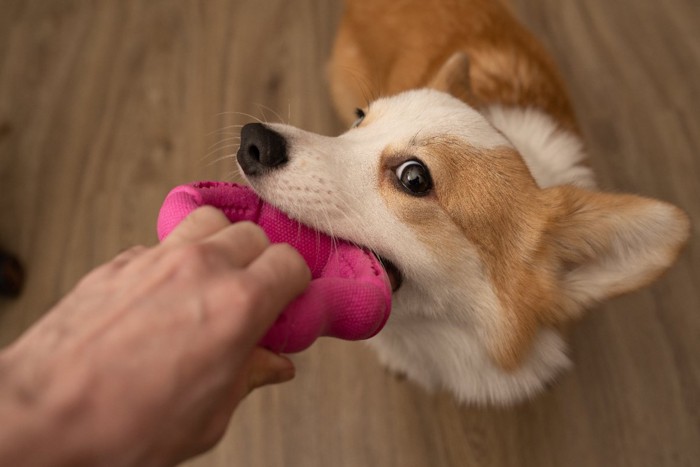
(430, 185)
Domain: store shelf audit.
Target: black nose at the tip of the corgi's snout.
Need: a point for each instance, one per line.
(261, 149)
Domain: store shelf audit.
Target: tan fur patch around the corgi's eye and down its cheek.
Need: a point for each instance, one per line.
(488, 198)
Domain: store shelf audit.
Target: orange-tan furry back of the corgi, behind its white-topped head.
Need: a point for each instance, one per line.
(398, 50)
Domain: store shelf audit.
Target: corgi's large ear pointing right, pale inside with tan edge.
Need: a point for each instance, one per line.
(604, 245)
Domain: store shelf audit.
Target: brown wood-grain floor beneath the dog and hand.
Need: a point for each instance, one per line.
(106, 105)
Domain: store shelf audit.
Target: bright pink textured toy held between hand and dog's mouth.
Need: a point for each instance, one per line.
(349, 296)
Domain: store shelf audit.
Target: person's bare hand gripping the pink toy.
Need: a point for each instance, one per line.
(145, 360)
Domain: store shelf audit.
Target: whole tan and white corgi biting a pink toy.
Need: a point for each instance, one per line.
(467, 176)
